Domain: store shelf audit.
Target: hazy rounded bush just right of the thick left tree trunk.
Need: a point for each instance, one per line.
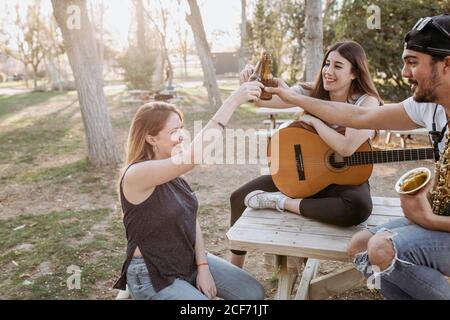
(138, 68)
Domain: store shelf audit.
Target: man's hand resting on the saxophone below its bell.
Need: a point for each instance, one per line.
(417, 208)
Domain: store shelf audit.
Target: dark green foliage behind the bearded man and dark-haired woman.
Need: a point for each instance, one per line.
(383, 46)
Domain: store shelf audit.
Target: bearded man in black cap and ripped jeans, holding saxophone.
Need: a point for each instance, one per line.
(410, 256)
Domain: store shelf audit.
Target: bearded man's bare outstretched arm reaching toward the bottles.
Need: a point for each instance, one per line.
(390, 116)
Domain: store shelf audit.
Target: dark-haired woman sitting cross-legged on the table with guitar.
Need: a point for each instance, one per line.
(344, 77)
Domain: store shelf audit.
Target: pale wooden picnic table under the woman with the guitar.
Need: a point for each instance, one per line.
(300, 243)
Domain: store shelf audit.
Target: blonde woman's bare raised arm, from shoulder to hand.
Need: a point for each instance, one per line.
(144, 176)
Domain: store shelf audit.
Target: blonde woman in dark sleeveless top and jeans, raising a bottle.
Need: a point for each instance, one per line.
(166, 258)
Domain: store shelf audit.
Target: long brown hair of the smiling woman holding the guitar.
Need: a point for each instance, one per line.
(362, 84)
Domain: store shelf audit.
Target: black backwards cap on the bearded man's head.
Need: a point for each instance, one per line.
(430, 35)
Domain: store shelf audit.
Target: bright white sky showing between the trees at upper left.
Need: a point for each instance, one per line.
(221, 19)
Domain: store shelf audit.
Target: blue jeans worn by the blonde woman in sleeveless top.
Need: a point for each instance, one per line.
(232, 283)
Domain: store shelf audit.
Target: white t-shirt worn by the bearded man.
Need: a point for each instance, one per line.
(422, 114)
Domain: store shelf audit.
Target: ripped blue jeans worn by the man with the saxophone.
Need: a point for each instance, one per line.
(422, 258)
